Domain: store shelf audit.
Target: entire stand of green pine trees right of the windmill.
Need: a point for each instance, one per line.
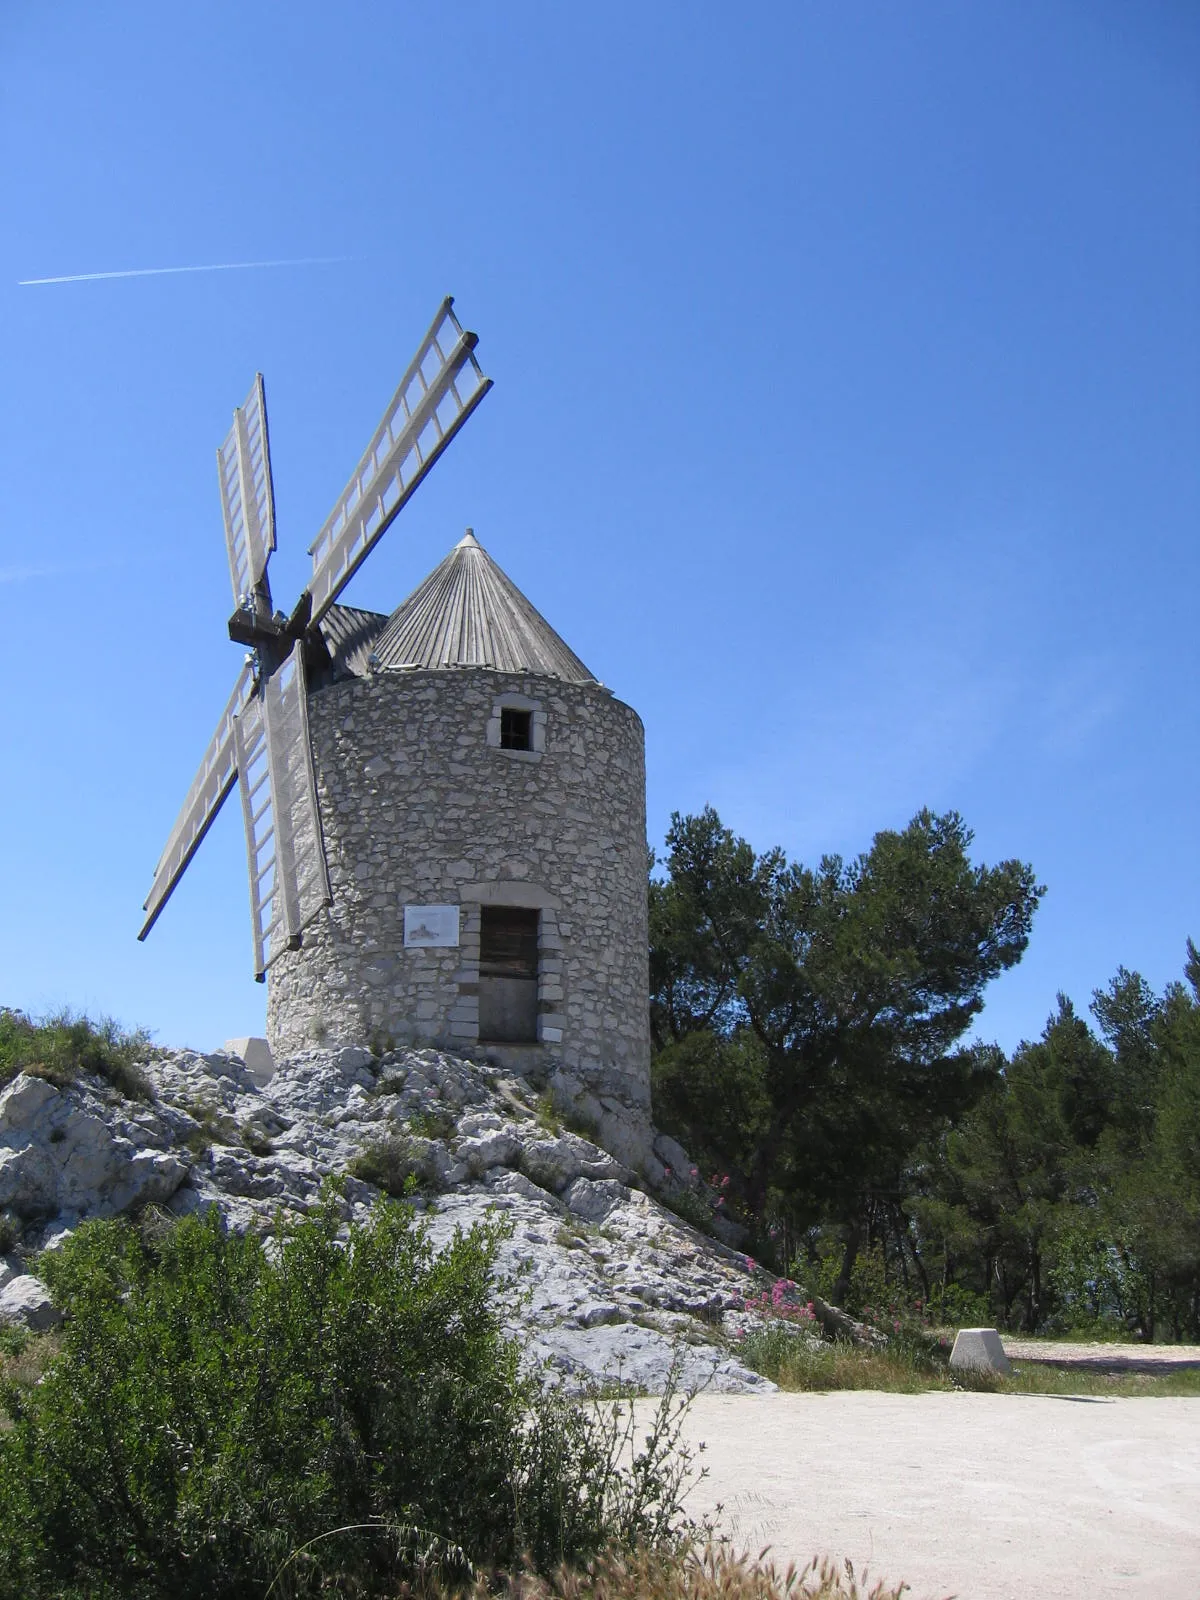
(809, 1031)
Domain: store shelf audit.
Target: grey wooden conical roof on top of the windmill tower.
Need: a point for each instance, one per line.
(468, 614)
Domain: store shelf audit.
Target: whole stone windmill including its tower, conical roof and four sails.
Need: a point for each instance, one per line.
(444, 809)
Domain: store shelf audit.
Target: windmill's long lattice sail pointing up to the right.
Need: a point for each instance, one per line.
(438, 394)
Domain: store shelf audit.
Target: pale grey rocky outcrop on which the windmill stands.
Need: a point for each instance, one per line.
(602, 1279)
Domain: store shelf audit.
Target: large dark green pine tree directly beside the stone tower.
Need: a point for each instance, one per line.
(831, 1001)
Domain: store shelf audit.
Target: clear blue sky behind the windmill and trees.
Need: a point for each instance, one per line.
(846, 423)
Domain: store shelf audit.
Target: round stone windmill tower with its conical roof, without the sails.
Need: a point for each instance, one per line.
(482, 801)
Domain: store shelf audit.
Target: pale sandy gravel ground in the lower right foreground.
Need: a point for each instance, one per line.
(982, 1497)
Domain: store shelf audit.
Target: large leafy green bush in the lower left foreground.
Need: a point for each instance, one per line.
(335, 1412)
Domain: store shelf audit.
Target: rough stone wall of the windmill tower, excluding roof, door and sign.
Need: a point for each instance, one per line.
(422, 806)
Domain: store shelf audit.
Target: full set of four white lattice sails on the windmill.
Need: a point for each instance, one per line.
(262, 742)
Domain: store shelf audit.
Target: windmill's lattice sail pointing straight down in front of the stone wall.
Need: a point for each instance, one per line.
(289, 882)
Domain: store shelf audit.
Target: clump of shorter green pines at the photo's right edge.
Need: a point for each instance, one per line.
(1071, 1193)
